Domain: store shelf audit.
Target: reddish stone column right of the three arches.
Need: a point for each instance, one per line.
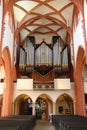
(79, 83)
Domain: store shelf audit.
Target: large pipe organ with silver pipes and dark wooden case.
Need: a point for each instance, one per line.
(43, 57)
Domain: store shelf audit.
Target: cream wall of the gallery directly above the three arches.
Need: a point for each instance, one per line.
(34, 94)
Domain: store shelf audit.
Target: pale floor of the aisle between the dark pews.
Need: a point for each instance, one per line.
(43, 125)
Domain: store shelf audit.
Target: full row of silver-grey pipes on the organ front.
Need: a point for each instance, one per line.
(43, 55)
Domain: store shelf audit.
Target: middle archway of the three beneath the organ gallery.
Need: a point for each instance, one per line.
(44, 106)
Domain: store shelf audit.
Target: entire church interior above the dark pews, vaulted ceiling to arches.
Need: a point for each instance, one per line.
(43, 57)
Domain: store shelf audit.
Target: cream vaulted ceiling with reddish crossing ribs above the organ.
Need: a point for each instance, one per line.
(44, 17)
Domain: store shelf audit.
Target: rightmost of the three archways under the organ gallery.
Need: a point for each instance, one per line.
(64, 104)
